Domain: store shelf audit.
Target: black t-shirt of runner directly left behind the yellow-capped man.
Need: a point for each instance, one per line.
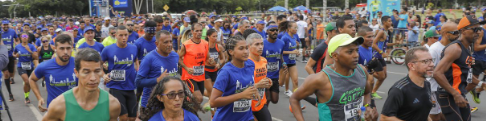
(318, 56)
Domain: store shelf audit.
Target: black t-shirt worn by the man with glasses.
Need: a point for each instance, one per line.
(407, 101)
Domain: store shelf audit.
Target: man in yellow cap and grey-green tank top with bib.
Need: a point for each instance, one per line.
(341, 88)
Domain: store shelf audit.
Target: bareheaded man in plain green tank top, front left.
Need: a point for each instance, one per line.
(86, 102)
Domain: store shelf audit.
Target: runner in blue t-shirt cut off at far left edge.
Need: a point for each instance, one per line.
(9, 38)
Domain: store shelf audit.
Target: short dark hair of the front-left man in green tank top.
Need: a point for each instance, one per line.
(86, 54)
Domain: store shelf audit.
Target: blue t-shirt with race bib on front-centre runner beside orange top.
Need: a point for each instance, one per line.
(232, 80)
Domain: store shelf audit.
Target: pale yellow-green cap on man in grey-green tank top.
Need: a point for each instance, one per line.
(342, 40)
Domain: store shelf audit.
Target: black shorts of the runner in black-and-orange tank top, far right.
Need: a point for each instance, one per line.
(451, 111)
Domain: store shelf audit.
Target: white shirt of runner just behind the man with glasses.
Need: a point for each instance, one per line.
(435, 50)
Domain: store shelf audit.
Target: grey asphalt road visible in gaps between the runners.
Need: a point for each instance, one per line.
(279, 111)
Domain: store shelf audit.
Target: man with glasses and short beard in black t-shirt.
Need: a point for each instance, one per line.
(410, 98)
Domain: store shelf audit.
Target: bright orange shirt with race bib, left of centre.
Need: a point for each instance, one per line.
(195, 58)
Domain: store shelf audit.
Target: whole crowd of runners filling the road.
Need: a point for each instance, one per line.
(160, 68)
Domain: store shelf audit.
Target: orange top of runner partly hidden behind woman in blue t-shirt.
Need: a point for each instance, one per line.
(259, 74)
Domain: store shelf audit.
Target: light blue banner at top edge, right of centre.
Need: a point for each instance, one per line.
(385, 6)
